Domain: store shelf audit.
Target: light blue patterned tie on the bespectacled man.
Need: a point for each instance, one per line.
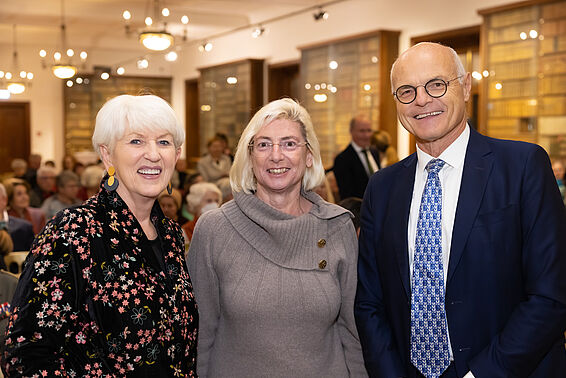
(429, 334)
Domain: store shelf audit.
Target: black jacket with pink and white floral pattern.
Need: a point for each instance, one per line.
(90, 302)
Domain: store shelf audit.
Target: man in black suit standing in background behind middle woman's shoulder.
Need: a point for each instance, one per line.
(354, 165)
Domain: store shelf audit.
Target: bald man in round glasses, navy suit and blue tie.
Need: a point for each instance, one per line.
(501, 243)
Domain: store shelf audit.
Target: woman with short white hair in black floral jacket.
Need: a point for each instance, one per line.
(105, 290)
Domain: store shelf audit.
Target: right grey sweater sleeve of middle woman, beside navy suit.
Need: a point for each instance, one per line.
(347, 275)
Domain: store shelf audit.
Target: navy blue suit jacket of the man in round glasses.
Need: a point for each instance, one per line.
(506, 285)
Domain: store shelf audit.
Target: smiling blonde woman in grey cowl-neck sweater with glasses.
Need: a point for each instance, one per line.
(274, 270)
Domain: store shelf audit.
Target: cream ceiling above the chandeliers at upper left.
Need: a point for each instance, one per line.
(98, 24)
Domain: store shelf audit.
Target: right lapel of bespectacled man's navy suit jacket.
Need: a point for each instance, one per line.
(477, 168)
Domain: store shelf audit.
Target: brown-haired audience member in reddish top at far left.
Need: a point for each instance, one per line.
(18, 204)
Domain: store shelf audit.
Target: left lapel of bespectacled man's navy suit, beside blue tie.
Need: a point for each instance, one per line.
(399, 207)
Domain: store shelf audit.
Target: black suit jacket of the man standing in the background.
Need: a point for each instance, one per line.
(351, 176)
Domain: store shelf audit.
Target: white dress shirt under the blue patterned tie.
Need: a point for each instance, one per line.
(450, 179)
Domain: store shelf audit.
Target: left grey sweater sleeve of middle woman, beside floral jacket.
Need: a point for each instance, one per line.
(205, 284)
